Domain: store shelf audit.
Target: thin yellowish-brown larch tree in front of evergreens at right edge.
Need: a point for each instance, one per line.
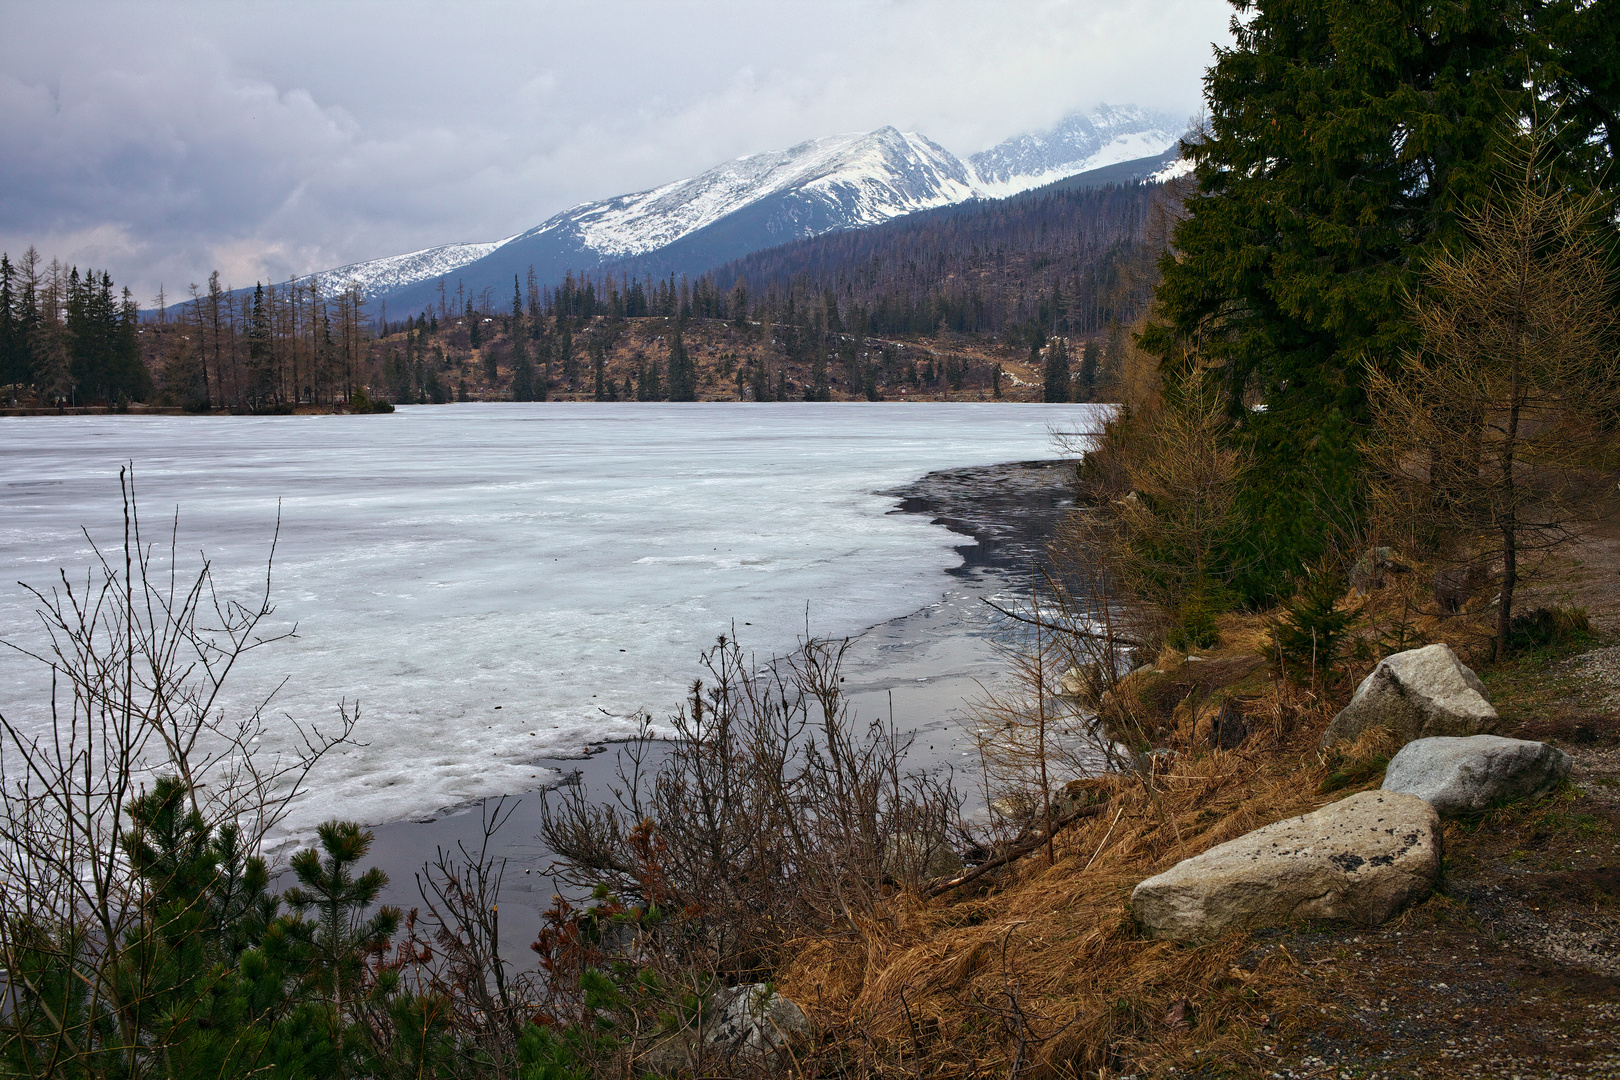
(1498, 436)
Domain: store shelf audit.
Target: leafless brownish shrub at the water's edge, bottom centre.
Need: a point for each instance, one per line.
(772, 812)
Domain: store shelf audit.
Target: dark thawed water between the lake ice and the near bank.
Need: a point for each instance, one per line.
(921, 670)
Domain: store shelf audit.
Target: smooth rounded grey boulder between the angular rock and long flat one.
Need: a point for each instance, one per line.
(1464, 776)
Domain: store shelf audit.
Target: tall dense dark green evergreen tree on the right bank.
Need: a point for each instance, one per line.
(1344, 142)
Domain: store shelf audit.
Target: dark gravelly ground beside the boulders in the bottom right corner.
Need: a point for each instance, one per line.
(1514, 967)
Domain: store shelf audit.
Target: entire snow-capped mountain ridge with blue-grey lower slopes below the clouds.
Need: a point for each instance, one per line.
(765, 200)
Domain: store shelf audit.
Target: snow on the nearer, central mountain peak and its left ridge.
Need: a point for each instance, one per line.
(871, 176)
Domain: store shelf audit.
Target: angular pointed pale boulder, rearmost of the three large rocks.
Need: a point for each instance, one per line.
(1413, 695)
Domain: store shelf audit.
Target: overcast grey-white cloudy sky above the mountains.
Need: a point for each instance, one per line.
(166, 140)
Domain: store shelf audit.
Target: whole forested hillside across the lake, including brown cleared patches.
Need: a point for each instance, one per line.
(955, 302)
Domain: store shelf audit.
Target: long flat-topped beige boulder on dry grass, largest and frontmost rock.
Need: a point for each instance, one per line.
(1362, 859)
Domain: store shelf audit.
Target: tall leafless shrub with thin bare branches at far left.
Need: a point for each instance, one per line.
(140, 658)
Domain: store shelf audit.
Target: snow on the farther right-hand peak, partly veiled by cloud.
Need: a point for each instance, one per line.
(1080, 143)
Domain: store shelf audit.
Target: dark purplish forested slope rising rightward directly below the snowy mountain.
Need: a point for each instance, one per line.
(1070, 263)
